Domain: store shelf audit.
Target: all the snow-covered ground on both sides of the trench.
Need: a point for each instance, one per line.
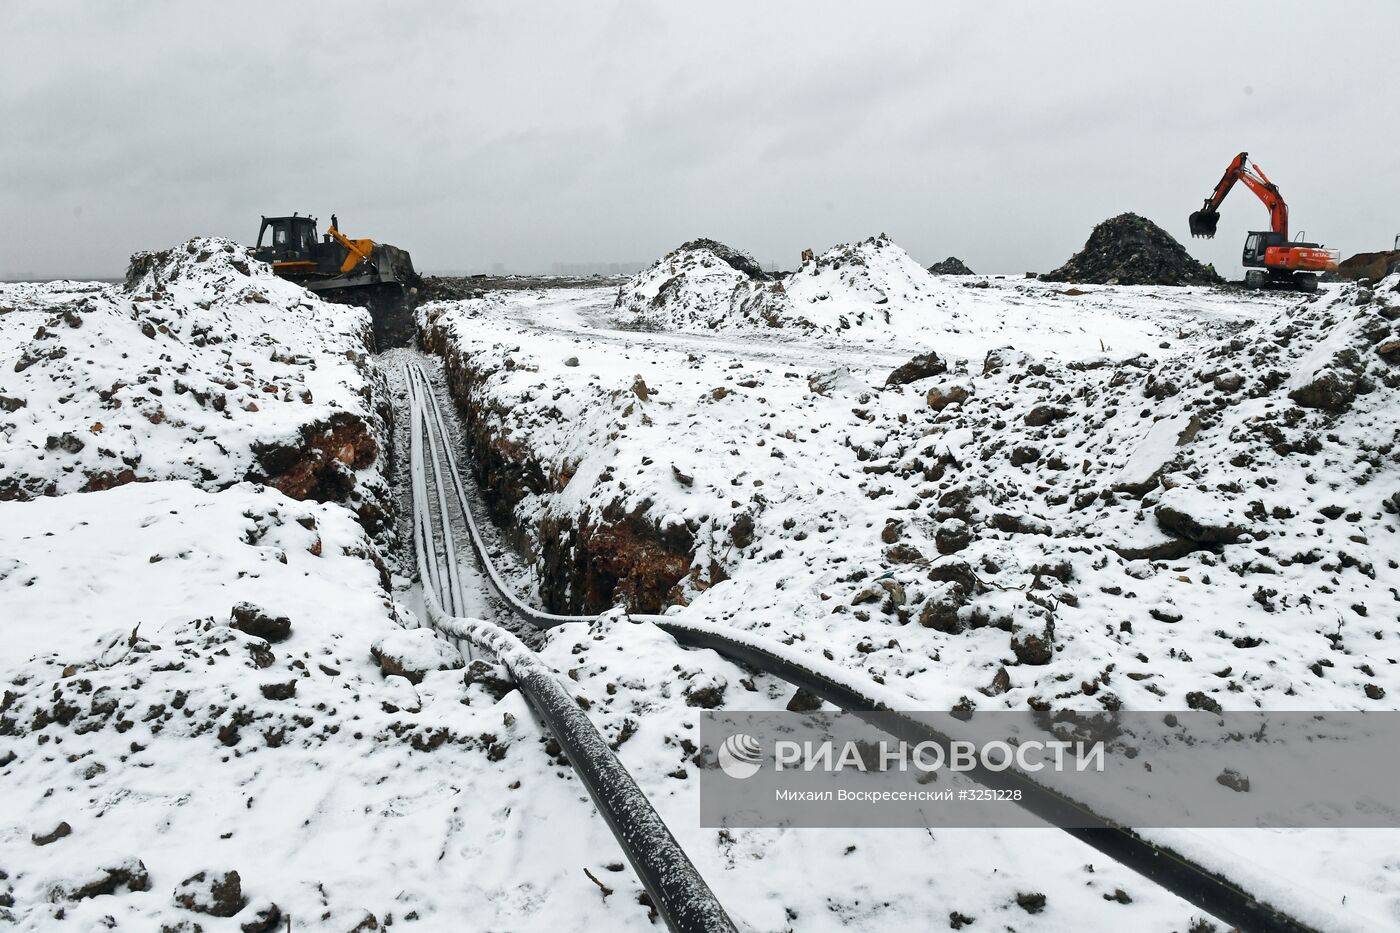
(195, 682)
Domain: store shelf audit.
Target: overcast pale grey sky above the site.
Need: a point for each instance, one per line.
(528, 134)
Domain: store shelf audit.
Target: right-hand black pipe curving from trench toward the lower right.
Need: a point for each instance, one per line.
(1160, 865)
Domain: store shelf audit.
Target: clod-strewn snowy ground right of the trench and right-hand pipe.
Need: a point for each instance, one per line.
(1137, 498)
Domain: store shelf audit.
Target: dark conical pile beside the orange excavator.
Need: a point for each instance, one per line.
(1132, 250)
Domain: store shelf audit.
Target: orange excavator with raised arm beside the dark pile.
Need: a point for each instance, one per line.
(1270, 260)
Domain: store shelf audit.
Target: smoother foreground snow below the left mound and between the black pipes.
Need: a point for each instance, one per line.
(337, 792)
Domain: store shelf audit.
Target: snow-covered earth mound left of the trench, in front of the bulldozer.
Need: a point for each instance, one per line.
(204, 366)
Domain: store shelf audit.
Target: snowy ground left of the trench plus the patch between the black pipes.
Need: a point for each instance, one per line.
(192, 686)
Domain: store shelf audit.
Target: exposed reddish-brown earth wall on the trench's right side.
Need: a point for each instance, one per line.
(587, 564)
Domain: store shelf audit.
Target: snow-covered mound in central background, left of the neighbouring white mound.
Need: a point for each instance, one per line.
(703, 285)
